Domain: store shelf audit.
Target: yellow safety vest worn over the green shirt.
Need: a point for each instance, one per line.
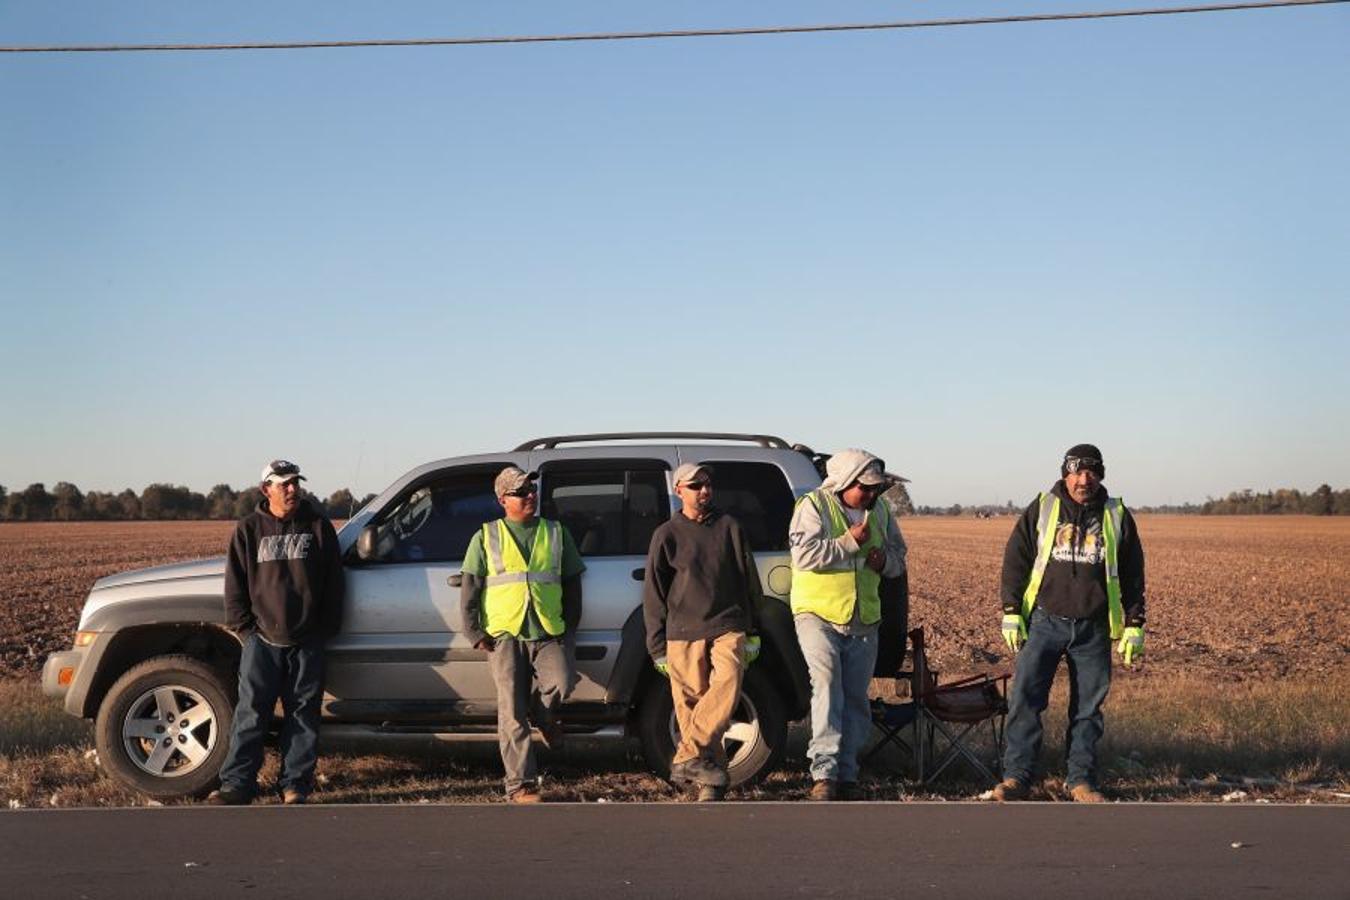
(512, 582)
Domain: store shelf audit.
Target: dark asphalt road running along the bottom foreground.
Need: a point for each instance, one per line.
(680, 851)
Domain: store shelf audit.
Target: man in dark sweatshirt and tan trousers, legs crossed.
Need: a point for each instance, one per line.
(699, 602)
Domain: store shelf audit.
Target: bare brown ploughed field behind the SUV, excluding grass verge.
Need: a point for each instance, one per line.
(1233, 598)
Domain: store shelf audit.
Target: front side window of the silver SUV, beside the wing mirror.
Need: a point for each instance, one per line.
(435, 520)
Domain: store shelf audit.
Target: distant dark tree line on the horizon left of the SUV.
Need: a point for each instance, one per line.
(68, 504)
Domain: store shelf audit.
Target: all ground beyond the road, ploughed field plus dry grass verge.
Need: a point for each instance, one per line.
(1244, 696)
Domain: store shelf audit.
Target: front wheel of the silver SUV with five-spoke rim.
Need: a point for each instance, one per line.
(144, 710)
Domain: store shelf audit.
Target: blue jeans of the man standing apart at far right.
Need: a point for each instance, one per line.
(1087, 647)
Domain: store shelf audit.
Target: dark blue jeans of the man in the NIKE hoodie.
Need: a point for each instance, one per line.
(296, 677)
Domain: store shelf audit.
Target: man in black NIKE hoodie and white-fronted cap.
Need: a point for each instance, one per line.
(284, 593)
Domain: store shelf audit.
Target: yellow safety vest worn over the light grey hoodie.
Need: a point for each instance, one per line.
(834, 593)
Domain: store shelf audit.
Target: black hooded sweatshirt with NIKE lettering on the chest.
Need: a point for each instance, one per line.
(284, 578)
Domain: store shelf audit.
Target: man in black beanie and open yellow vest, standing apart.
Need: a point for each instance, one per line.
(1073, 584)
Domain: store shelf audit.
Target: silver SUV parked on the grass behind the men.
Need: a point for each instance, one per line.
(156, 669)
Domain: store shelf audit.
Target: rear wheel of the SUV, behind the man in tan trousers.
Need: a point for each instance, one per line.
(755, 743)
